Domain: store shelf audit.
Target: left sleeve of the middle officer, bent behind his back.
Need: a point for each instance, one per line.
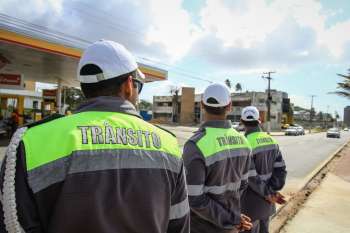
(201, 203)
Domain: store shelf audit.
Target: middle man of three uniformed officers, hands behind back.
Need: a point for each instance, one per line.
(217, 160)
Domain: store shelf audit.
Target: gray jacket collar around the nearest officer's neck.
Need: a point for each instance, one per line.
(108, 104)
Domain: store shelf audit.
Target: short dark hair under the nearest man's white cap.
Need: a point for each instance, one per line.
(109, 87)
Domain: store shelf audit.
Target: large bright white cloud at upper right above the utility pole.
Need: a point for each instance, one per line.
(254, 33)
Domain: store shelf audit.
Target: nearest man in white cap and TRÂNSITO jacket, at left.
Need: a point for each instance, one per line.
(102, 169)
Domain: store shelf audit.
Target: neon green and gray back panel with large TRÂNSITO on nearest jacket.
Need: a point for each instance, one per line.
(47, 154)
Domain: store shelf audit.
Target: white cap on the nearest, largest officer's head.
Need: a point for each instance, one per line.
(112, 58)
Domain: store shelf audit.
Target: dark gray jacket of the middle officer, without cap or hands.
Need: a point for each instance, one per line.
(215, 185)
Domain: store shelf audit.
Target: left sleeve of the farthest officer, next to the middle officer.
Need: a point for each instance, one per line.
(258, 185)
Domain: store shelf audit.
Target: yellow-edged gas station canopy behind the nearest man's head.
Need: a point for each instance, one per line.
(49, 62)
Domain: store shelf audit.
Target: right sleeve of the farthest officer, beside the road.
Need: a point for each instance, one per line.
(279, 173)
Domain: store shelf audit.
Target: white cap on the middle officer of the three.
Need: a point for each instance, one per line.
(216, 95)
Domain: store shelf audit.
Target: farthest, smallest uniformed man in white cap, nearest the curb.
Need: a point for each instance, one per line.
(258, 201)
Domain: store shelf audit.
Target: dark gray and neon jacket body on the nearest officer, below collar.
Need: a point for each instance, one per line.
(98, 171)
